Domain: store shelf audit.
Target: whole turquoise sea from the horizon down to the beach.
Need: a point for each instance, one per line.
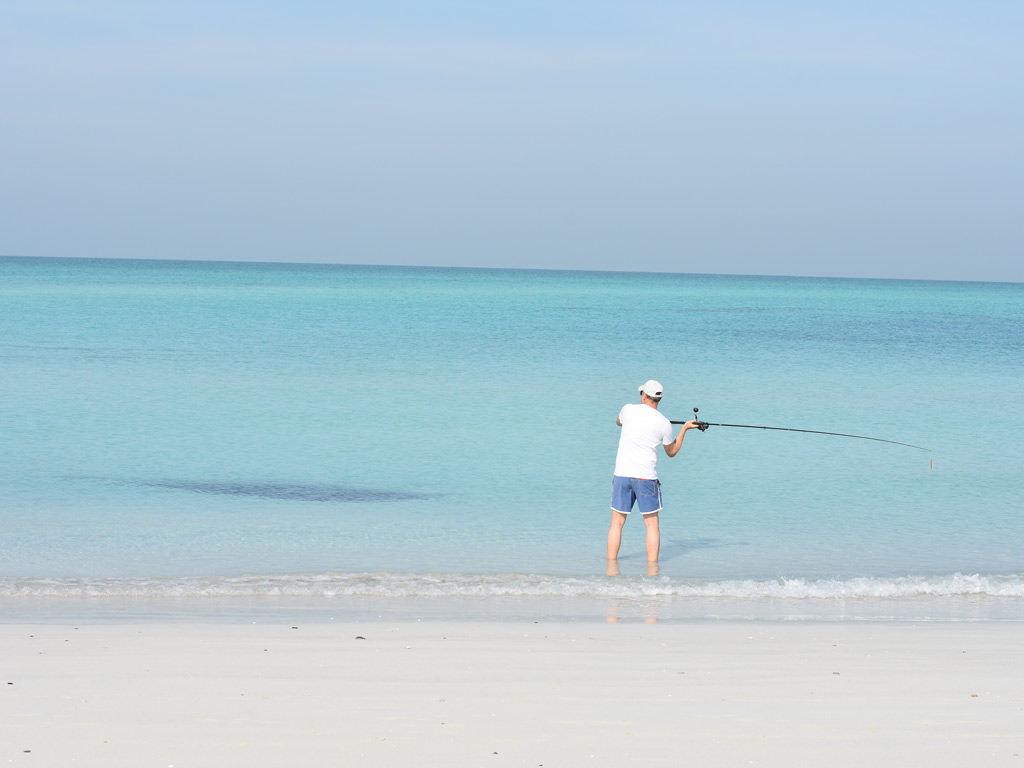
(175, 433)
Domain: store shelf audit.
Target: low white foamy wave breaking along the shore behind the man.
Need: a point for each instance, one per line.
(515, 585)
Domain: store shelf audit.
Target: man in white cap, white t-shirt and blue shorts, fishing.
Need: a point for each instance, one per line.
(636, 466)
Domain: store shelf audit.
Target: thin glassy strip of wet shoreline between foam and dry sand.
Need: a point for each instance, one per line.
(492, 609)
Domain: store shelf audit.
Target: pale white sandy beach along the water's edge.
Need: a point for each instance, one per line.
(513, 694)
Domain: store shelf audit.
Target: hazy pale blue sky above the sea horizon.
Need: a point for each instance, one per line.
(880, 140)
